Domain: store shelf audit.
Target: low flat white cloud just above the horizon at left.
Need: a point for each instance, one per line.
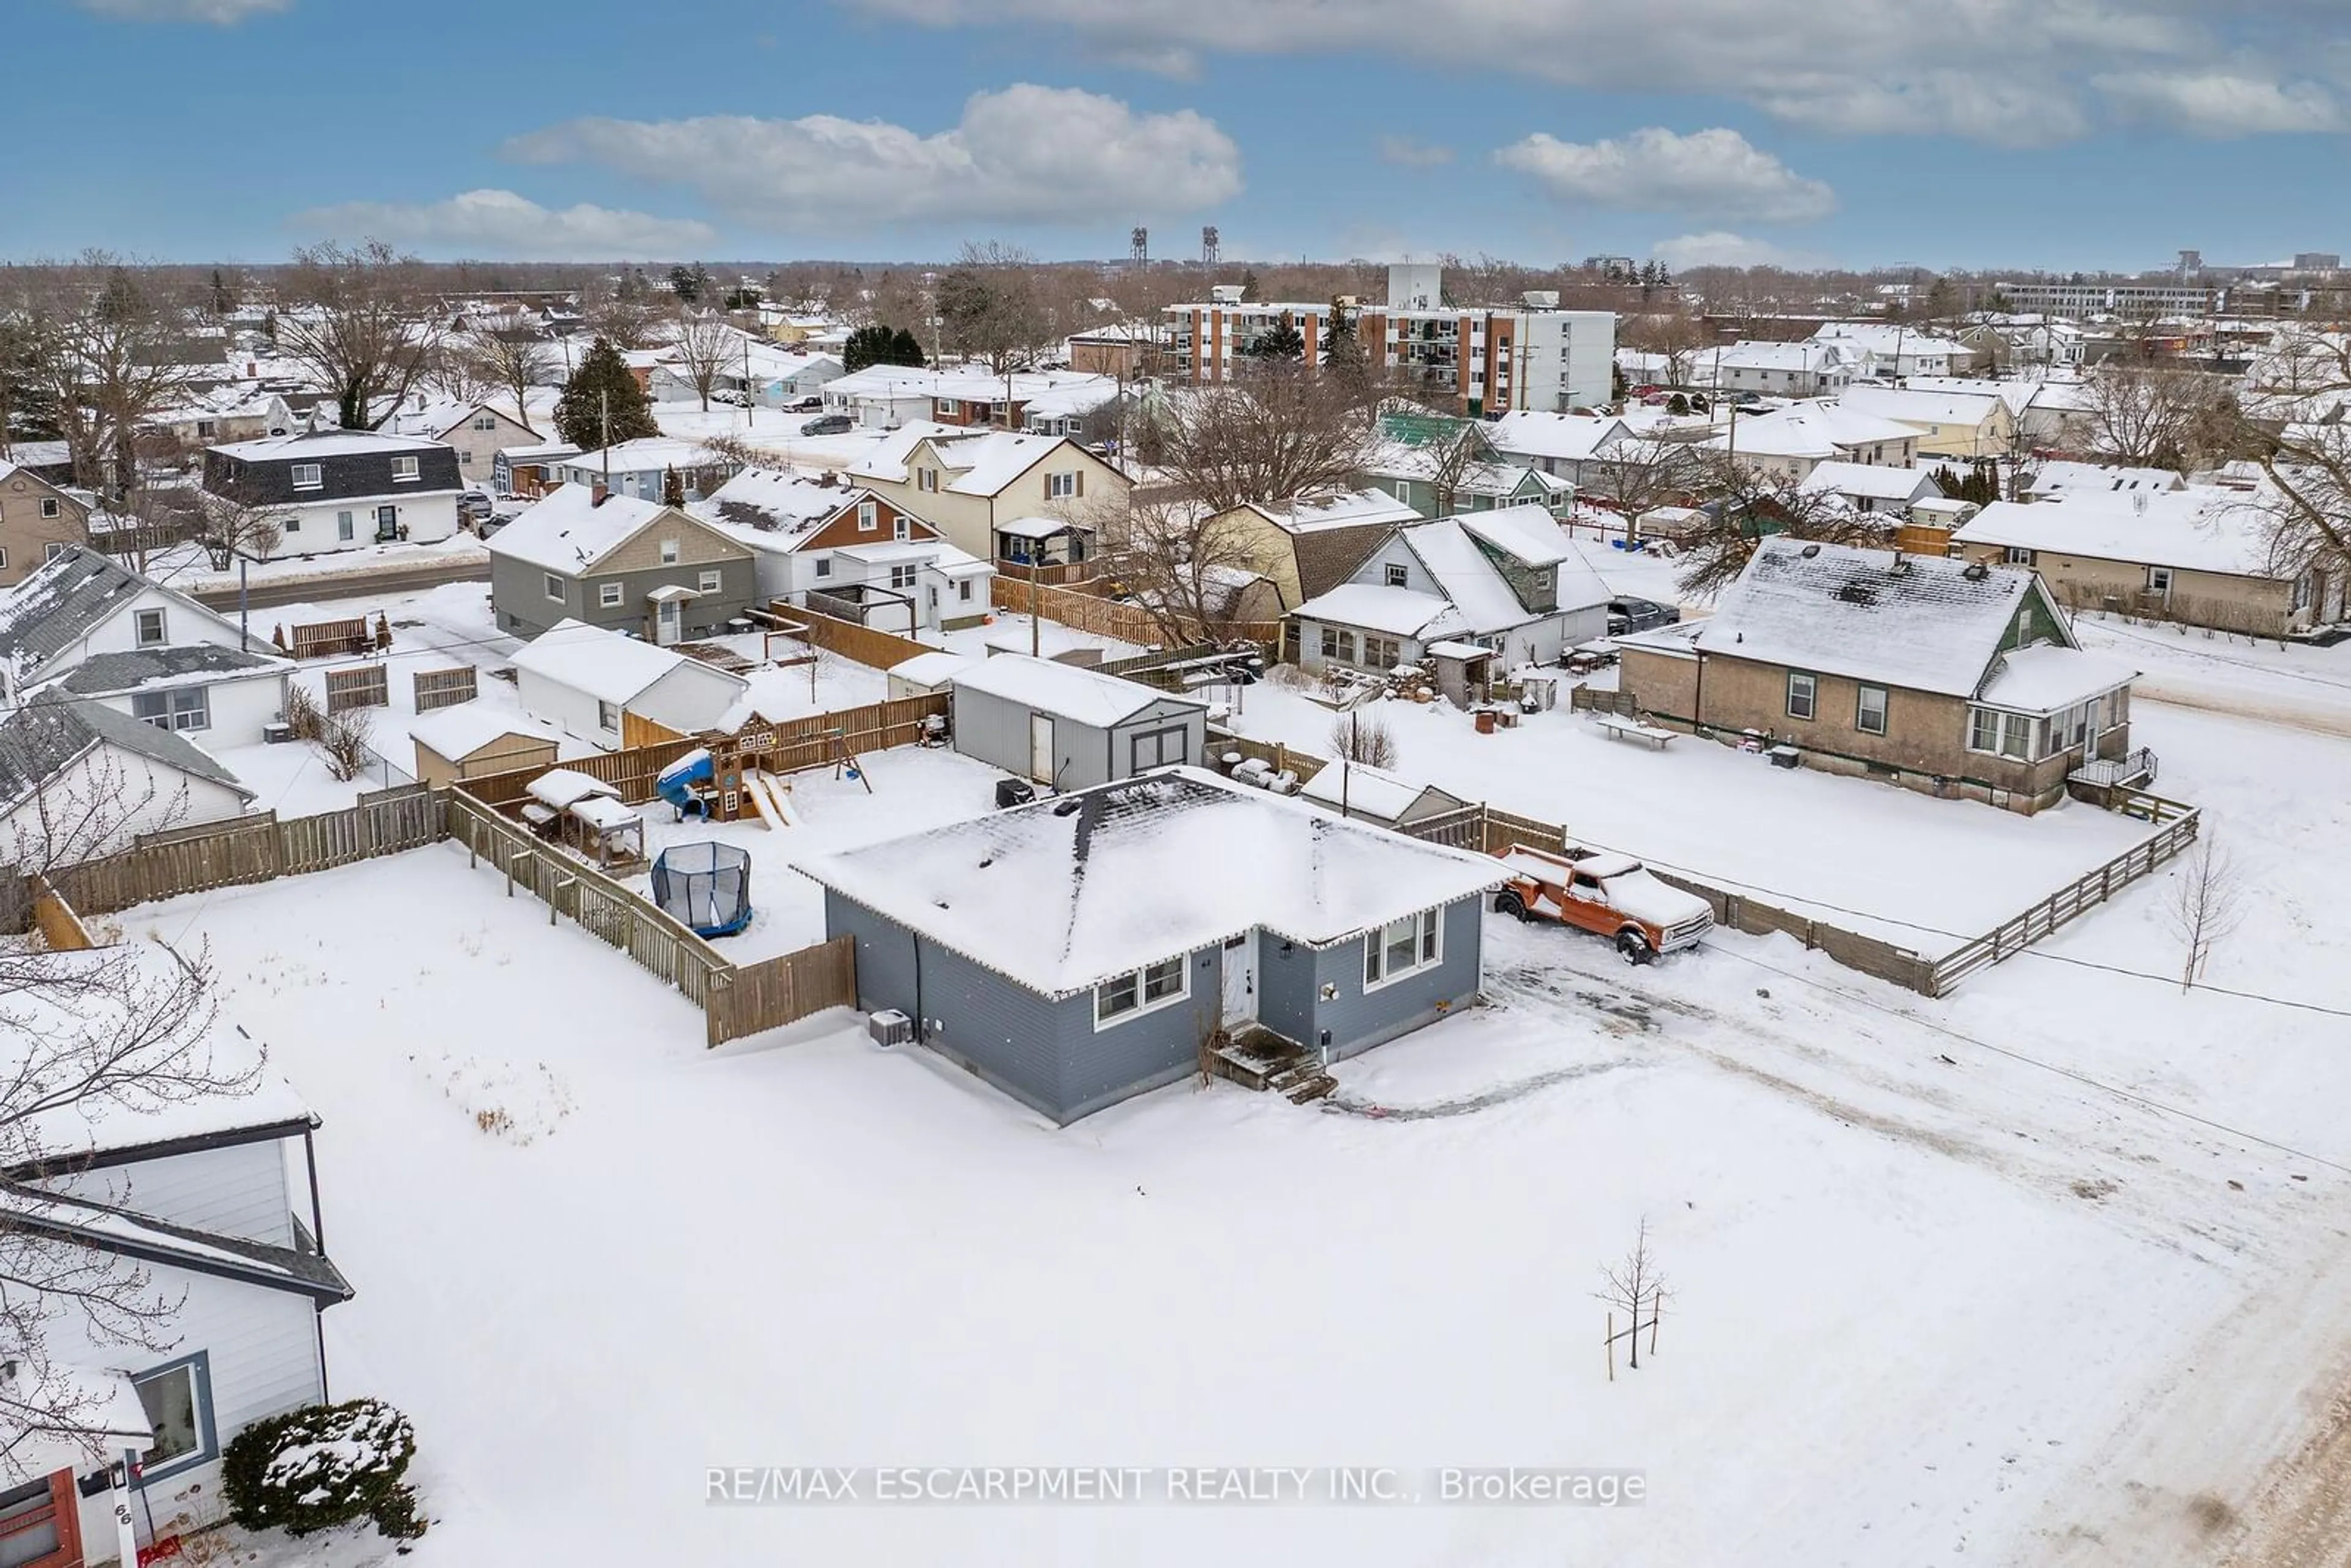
(500, 225)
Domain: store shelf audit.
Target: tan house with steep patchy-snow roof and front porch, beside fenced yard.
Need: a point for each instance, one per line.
(1943, 676)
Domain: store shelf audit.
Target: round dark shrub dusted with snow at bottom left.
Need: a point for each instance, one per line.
(326, 1466)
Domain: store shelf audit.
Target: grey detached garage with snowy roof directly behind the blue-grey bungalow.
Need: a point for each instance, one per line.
(1071, 728)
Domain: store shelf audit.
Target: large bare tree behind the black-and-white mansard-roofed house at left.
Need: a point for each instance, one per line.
(366, 323)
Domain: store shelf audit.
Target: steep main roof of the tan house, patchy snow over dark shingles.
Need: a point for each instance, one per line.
(1917, 622)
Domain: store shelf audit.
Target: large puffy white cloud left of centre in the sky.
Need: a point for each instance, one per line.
(1019, 156)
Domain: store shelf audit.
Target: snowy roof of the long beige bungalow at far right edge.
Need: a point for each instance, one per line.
(2190, 530)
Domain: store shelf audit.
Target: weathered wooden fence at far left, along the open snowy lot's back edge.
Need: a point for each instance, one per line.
(253, 850)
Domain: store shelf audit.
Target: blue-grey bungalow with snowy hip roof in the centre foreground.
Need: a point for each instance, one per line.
(1083, 951)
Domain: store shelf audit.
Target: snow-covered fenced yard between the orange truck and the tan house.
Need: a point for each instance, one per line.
(1875, 859)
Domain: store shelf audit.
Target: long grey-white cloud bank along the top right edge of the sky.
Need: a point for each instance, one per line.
(2004, 72)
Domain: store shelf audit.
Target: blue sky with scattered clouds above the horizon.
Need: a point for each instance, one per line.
(1938, 133)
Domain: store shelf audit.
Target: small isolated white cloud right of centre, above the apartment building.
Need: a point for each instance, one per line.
(1713, 175)
